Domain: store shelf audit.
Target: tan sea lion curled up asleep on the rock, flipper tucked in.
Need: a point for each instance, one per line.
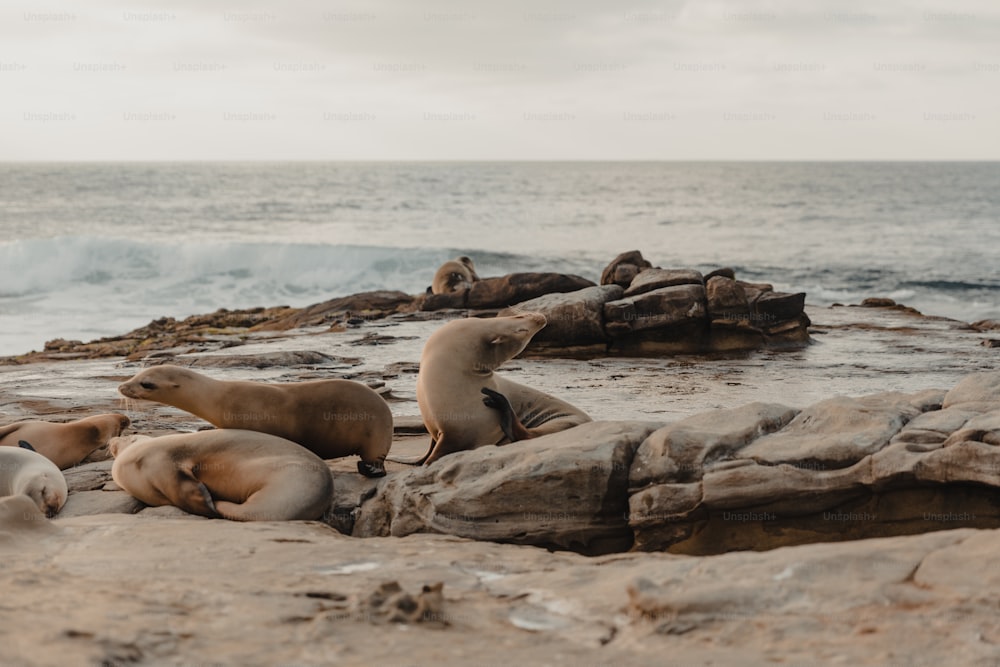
(224, 473)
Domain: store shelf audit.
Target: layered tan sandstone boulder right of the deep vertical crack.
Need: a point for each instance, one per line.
(844, 468)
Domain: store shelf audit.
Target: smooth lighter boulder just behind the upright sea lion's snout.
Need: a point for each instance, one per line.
(572, 318)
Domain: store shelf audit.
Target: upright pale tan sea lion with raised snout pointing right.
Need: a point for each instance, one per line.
(456, 371)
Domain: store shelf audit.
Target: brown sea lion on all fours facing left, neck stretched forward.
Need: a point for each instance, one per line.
(332, 418)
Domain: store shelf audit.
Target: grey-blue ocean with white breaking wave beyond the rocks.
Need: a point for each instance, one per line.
(97, 249)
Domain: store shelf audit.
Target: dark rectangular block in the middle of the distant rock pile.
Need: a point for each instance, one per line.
(664, 307)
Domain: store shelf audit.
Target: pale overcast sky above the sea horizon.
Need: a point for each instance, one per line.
(396, 79)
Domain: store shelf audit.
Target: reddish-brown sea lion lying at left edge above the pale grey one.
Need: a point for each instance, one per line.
(65, 444)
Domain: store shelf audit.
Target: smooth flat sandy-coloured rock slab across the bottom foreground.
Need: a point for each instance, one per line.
(851, 603)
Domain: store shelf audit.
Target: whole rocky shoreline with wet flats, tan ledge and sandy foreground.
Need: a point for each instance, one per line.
(883, 426)
